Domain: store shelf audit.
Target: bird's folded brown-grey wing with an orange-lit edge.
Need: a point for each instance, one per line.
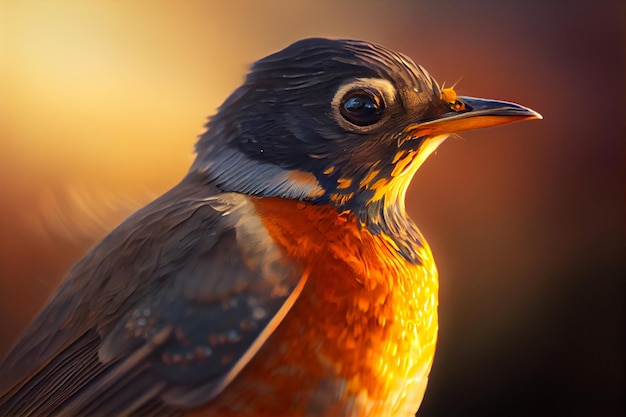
(158, 317)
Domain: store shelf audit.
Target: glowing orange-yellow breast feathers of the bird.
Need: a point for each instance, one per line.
(361, 337)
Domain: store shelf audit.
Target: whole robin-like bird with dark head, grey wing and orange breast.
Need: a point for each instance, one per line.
(282, 275)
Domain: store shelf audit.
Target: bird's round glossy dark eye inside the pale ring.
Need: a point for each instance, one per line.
(362, 107)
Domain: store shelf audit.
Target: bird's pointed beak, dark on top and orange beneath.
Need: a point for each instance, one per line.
(474, 113)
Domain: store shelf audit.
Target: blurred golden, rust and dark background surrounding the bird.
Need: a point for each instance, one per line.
(102, 101)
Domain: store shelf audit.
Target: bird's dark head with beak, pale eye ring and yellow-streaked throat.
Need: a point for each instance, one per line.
(341, 122)
